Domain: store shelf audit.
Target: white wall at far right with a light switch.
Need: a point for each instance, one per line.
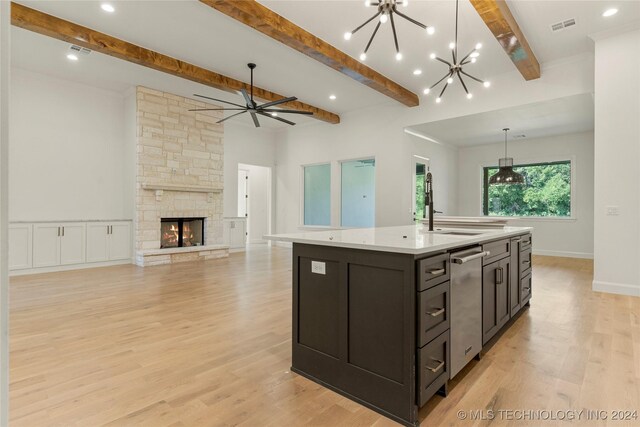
(617, 162)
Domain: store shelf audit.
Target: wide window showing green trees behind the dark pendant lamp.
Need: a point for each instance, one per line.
(546, 192)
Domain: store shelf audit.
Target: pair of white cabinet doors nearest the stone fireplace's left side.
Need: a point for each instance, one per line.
(108, 241)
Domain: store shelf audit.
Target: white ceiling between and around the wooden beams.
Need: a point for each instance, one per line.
(198, 34)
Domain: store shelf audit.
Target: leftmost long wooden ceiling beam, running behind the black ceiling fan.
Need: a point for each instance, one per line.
(48, 25)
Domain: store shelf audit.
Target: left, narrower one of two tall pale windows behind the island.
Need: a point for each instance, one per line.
(317, 195)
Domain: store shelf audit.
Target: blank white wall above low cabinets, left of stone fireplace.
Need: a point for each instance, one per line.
(67, 149)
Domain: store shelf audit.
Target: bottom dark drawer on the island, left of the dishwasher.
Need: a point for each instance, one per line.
(433, 367)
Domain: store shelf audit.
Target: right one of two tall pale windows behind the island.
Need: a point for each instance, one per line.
(358, 194)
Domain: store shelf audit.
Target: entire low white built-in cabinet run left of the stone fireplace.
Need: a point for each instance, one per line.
(64, 245)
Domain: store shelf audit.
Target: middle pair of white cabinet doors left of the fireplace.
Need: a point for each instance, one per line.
(58, 244)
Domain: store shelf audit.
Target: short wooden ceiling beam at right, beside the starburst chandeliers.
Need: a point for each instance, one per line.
(497, 16)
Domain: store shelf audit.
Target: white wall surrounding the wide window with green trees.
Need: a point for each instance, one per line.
(556, 237)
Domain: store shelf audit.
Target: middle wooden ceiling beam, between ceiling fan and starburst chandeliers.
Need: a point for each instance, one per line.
(266, 21)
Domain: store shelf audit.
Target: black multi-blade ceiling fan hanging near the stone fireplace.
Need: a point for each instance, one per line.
(252, 108)
